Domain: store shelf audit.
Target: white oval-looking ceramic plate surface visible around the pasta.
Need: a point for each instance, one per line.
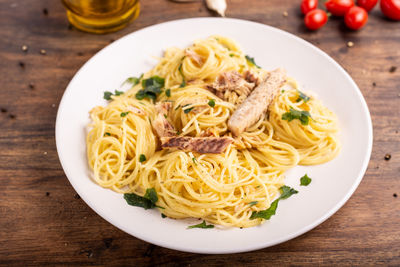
(332, 185)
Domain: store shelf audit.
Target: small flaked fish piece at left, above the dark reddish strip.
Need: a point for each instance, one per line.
(161, 125)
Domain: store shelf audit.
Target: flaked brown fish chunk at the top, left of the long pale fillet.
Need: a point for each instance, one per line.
(231, 86)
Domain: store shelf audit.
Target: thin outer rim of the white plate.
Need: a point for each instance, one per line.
(258, 246)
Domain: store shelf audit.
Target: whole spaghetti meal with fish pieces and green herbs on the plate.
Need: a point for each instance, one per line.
(209, 134)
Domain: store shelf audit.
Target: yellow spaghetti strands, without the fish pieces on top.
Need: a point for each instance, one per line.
(224, 188)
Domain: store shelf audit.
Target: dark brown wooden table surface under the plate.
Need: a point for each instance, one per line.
(44, 222)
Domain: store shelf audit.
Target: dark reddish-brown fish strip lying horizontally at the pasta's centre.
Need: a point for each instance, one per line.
(213, 145)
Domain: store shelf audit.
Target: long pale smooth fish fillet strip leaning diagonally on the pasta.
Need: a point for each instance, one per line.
(256, 105)
